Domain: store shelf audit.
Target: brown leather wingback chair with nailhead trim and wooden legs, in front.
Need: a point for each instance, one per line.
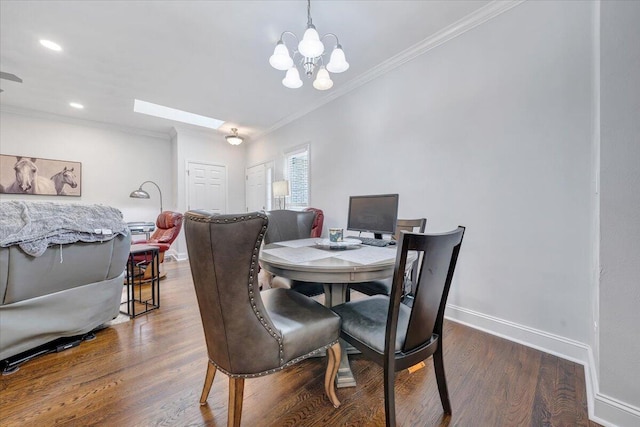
(251, 333)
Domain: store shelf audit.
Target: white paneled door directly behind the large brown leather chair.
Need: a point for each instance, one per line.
(207, 187)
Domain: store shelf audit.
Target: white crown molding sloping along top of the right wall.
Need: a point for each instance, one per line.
(478, 17)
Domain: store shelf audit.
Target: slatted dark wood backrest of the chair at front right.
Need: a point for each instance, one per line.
(438, 255)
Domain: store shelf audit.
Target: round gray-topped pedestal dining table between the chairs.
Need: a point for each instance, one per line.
(336, 267)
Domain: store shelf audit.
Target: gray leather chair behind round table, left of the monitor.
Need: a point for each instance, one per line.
(291, 225)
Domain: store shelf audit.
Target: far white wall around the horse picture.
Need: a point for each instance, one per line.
(114, 162)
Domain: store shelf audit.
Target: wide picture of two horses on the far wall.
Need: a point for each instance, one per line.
(33, 175)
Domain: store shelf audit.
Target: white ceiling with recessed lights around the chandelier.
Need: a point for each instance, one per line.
(205, 57)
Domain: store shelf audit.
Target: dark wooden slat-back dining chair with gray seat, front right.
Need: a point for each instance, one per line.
(396, 336)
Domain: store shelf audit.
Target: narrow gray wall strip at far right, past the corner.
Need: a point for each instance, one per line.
(620, 203)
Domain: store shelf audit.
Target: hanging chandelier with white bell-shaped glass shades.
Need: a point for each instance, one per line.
(310, 51)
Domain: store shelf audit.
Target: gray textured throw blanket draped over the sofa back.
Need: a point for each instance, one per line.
(37, 225)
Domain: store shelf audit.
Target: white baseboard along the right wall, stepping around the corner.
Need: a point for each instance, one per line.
(603, 409)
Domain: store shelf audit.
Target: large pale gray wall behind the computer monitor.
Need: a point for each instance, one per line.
(493, 131)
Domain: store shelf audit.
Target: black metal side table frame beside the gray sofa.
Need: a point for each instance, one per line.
(134, 280)
